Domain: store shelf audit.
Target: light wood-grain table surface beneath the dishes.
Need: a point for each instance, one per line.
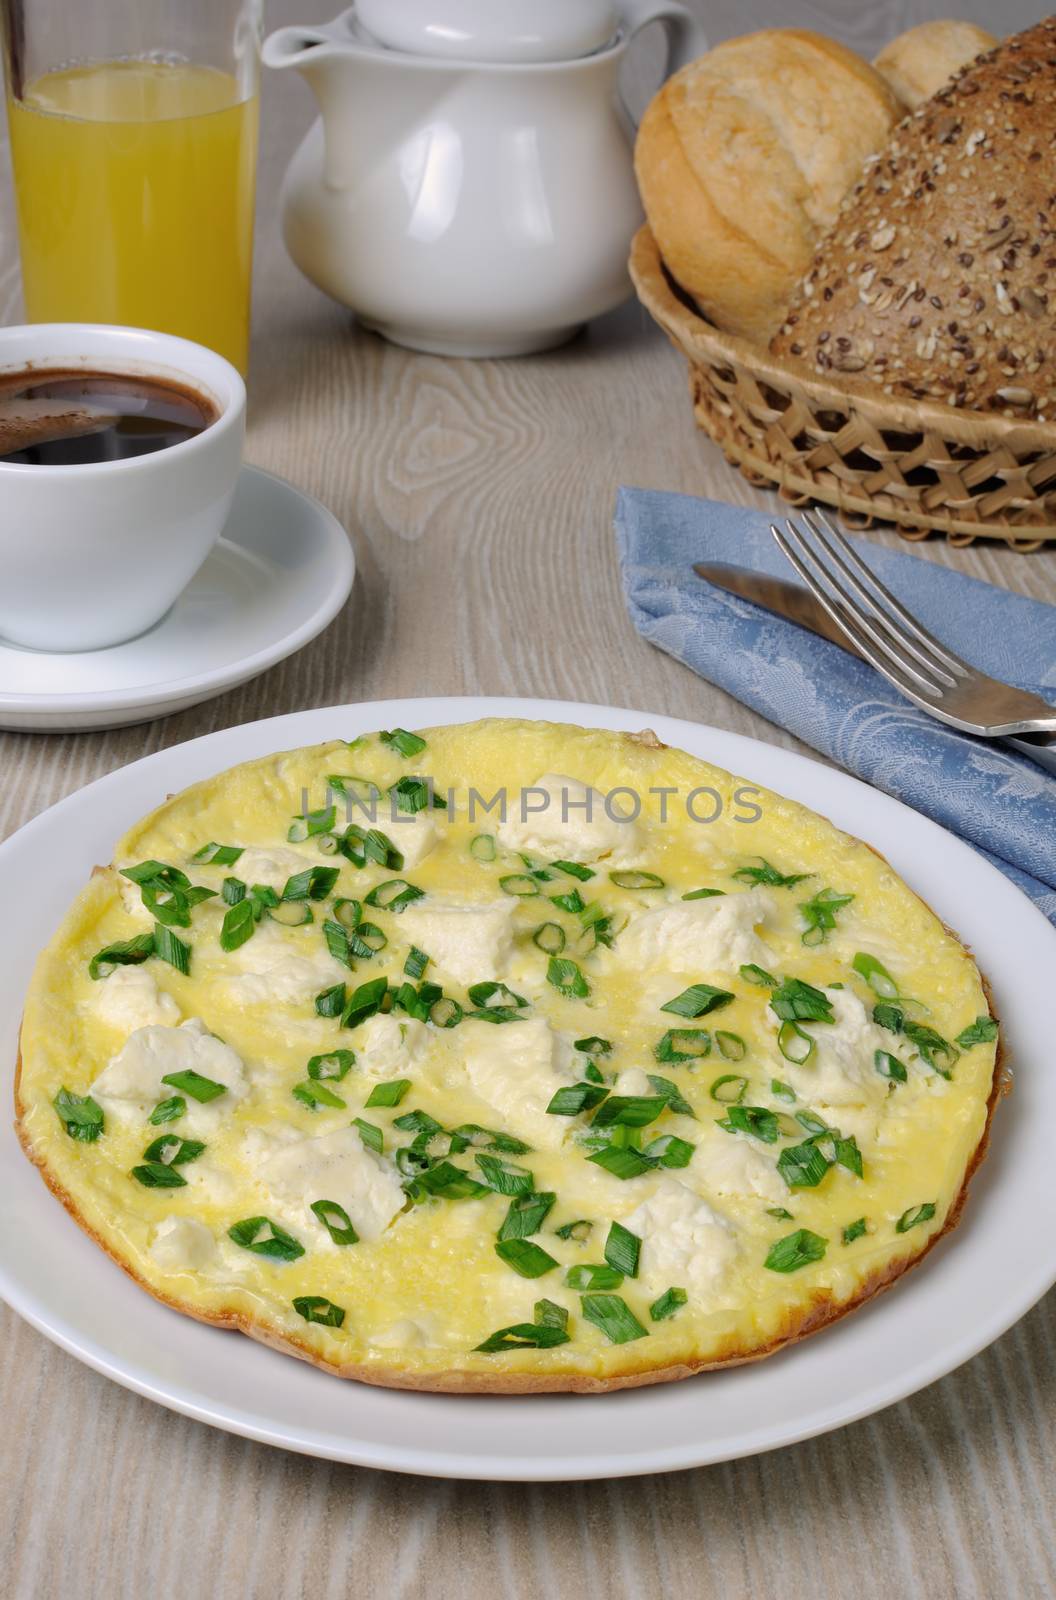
(481, 498)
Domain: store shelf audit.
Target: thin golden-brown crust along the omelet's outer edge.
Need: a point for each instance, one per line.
(822, 1314)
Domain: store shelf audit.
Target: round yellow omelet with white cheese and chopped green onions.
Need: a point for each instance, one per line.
(510, 1058)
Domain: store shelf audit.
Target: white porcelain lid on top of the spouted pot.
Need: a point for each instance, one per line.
(513, 31)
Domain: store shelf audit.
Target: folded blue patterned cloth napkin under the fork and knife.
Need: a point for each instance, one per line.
(999, 801)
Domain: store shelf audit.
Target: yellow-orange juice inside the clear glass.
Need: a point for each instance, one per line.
(135, 199)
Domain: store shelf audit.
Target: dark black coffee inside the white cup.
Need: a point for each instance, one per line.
(57, 418)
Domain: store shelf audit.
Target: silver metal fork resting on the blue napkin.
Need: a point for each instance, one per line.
(897, 646)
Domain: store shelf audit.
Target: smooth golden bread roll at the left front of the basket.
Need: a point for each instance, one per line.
(743, 161)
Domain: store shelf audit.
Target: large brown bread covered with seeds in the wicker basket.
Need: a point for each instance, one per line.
(938, 278)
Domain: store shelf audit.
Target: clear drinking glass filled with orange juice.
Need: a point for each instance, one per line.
(134, 143)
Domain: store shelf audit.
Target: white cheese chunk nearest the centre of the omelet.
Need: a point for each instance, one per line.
(518, 1068)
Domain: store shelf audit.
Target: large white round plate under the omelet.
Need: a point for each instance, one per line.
(974, 1287)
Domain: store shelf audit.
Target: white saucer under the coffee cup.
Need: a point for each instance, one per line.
(281, 574)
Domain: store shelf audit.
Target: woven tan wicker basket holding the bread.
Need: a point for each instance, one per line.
(918, 465)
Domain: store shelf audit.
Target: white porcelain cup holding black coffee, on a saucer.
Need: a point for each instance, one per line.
(97, 553)
